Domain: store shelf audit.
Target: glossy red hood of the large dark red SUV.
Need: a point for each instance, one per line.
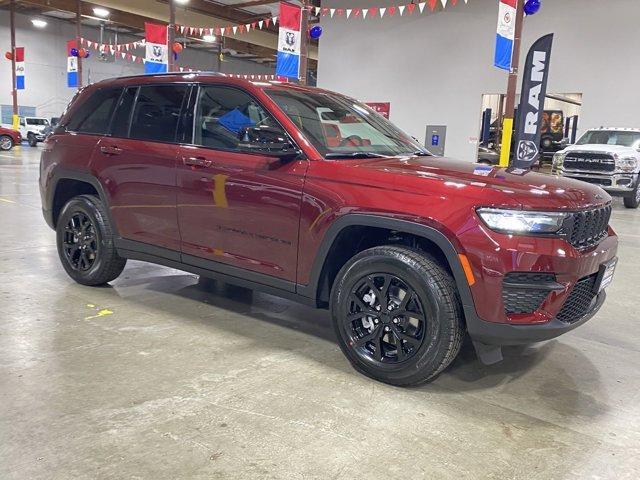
(489, 186)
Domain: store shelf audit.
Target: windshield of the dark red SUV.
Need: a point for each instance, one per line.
(339, 127)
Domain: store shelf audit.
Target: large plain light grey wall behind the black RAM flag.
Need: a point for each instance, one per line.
(435, 68)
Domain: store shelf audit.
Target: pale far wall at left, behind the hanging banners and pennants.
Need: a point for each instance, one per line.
(46, 63)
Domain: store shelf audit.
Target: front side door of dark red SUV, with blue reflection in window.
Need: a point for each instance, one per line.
(237, 210)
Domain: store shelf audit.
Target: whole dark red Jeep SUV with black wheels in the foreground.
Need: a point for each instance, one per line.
(310, 195)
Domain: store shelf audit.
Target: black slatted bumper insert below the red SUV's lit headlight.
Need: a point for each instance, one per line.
(519, 292)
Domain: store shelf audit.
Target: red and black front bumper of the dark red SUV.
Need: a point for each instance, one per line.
(493, 256)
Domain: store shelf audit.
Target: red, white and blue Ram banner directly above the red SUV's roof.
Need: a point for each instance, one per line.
(289, 41)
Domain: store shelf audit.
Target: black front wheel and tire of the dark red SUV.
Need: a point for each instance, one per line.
(397, 315)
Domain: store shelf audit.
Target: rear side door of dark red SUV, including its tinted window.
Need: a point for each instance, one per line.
(137, 166)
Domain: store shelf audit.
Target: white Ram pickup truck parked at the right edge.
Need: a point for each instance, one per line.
(608, 157)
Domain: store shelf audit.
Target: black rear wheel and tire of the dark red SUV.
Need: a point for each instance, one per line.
(86, 242)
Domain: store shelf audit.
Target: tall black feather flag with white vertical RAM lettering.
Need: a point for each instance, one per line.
(534, 91)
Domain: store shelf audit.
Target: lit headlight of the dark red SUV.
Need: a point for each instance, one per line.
(522, 222)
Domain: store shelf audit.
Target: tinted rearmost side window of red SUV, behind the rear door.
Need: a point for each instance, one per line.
(94, 115)
